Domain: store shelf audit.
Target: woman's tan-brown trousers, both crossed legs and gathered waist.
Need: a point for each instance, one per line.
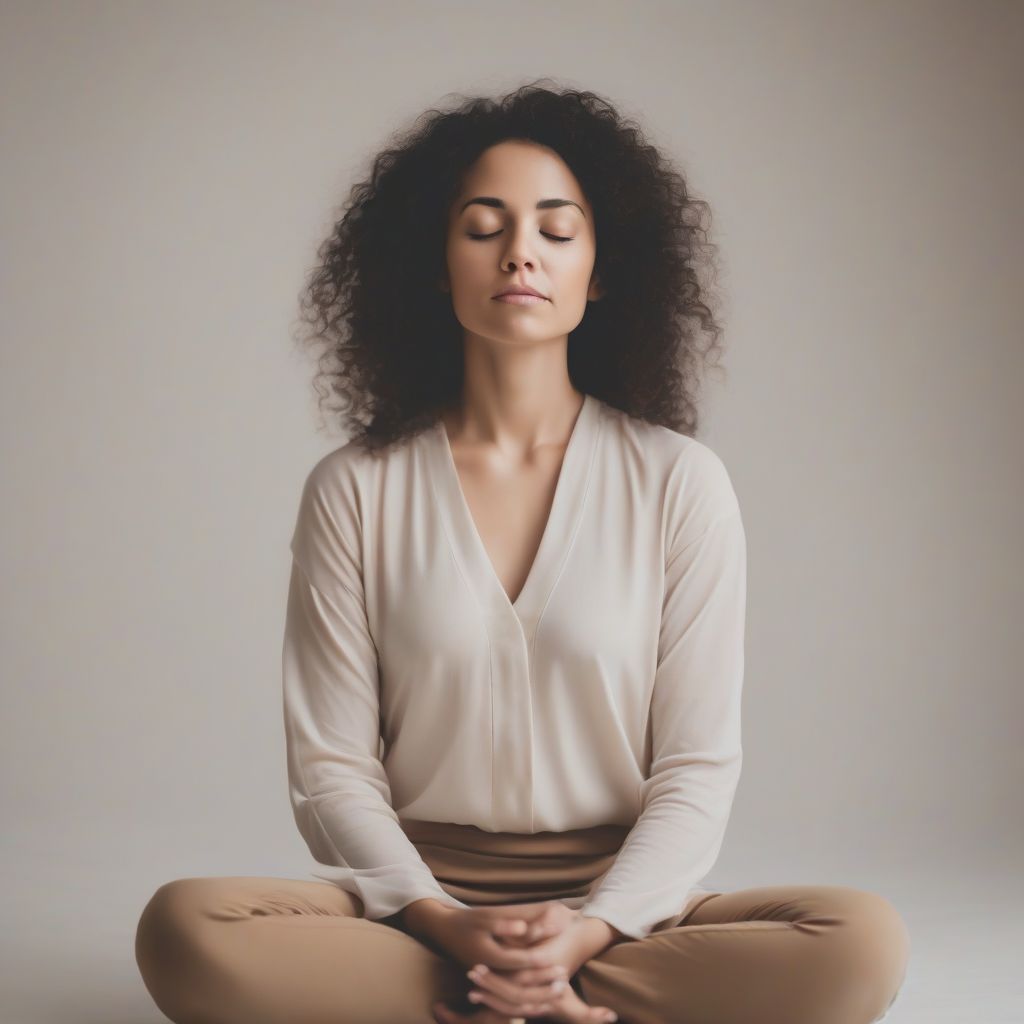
(272, 951)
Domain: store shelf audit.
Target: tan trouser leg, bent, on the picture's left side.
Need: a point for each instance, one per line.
(270, 951)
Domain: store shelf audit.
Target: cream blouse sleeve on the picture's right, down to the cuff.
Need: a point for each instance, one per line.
(697, 752)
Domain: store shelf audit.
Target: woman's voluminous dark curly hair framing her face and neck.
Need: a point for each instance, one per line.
(391, 345)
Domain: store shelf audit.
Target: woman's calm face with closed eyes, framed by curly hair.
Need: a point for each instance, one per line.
(499, 239)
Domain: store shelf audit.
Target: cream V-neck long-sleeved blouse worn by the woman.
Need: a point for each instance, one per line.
(608, 693)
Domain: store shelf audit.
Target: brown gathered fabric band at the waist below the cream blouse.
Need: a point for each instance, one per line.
(483, 868)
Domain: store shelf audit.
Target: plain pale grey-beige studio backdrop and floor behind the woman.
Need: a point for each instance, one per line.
(168, 170)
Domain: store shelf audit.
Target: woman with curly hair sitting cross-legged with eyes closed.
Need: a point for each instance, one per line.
(514, 654)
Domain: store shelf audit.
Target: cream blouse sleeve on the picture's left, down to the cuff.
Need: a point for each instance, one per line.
(339, 791)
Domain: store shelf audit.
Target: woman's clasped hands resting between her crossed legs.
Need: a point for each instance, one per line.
(522, 960)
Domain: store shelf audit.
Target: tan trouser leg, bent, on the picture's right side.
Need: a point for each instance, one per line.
(774, 955)
